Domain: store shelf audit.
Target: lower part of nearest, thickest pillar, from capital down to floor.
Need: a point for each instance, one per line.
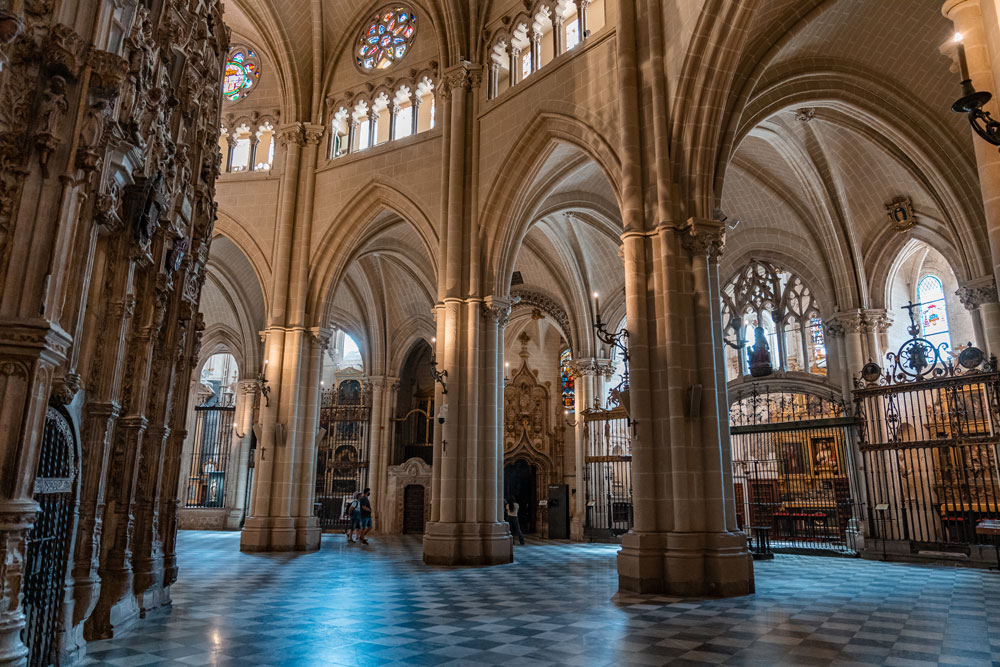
(684, 541)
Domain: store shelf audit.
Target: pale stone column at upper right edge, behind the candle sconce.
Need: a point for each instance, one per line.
(968, 19)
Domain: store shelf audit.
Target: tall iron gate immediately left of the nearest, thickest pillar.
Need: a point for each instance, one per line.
(608, 473)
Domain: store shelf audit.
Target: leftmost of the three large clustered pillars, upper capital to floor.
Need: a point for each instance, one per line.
(281, 512)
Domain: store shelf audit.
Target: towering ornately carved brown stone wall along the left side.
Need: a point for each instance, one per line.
(109, 162)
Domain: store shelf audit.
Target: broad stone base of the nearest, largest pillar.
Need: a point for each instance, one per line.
(686, 564)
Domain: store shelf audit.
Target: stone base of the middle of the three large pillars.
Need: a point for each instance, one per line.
(468, 544)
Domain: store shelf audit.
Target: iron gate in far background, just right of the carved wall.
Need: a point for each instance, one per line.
(210, 457)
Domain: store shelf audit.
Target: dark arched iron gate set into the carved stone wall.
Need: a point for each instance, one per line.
(49, 540)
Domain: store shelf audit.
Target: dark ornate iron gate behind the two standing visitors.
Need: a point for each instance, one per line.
(343, 453)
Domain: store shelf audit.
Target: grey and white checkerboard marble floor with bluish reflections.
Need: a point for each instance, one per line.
(556, 605)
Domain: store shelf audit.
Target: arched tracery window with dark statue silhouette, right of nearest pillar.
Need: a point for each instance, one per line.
(764, 295)
